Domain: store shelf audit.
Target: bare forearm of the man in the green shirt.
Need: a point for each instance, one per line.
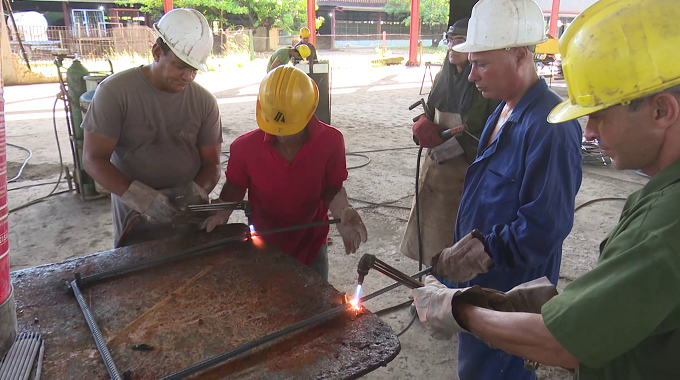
(521, 334)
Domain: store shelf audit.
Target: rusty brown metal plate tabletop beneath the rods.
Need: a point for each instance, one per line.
(195, 309)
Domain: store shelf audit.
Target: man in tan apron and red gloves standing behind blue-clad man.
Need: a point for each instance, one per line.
(455, 101)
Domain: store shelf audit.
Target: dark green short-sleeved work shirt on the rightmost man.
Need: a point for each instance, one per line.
(622, 319)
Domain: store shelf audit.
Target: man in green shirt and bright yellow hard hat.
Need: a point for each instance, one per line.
(622, 319)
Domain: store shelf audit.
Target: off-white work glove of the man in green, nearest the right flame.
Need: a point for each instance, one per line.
(434, 306)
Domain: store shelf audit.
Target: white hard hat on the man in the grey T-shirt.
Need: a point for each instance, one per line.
(187, 33)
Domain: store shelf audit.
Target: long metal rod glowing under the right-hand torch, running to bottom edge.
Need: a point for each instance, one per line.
(221, 358)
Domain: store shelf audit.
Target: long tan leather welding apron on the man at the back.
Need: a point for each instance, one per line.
(440, 188)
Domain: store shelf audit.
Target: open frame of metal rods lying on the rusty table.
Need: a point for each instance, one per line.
(80, 282)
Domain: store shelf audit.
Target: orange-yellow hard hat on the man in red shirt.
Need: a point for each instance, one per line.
(286, 101)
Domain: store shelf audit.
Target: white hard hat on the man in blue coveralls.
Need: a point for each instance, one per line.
(500, 24)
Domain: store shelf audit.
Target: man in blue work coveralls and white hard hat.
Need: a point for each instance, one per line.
(518, 199)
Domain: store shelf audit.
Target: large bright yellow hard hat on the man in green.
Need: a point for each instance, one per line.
(617, 51)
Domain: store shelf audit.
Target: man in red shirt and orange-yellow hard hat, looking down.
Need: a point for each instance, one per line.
(293, 168)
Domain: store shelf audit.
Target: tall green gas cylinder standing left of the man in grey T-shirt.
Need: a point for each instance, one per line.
(76, 88)
